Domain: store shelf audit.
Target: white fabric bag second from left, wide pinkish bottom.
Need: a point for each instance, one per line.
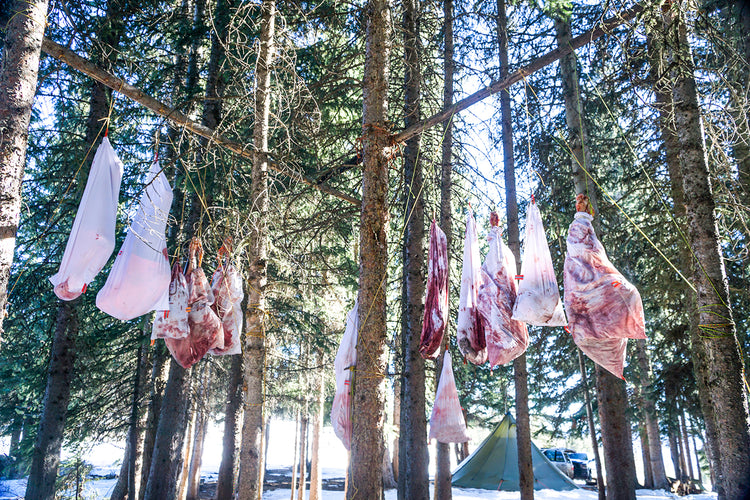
(139, 279)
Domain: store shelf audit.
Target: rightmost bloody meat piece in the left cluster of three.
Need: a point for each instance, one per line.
(227, 289)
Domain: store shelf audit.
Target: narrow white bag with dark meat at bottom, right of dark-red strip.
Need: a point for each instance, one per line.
(470, 331)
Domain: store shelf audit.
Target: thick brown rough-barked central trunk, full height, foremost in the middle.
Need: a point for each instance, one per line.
(368, 387)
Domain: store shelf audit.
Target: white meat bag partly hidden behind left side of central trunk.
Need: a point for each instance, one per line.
(346, 358)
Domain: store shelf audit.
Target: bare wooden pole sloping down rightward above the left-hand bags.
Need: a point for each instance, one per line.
(118, 85)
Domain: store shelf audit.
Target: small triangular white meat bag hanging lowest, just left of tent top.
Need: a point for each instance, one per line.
(447, 424)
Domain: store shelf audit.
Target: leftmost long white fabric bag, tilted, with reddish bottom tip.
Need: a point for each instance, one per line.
(92, 238)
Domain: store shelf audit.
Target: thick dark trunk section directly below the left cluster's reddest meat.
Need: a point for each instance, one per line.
(166, 458)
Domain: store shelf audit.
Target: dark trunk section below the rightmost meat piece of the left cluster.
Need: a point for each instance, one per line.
(232, 427)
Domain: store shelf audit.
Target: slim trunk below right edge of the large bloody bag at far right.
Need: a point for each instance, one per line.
(656, 460)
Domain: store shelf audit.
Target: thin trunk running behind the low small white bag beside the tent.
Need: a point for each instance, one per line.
(443, 489)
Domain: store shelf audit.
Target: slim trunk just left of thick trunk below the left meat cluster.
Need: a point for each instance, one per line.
(158, 384)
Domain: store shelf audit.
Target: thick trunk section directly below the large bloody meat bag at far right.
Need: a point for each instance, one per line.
(616, 436)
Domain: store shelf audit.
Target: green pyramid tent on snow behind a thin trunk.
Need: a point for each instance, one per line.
(494, 465)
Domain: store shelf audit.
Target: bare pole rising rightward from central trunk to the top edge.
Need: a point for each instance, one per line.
(537, 64)
